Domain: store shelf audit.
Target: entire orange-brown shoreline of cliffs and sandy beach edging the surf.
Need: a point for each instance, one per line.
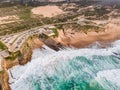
(68, 39)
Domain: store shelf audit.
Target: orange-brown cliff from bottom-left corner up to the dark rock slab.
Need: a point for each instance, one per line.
(26, 52)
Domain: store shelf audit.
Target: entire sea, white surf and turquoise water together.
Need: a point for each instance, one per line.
(69, 69)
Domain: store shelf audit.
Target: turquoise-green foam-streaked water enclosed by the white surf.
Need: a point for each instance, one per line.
(77, 74)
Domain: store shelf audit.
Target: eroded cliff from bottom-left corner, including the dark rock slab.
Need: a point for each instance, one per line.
(26, 54)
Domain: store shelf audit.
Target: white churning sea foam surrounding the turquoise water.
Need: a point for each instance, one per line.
(41, 59)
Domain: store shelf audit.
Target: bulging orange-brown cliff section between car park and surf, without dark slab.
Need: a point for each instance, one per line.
(27, 49)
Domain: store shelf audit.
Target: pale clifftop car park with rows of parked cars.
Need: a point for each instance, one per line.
(15, 41)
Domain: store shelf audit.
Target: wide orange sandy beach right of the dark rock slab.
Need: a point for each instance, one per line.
(80, 39)
